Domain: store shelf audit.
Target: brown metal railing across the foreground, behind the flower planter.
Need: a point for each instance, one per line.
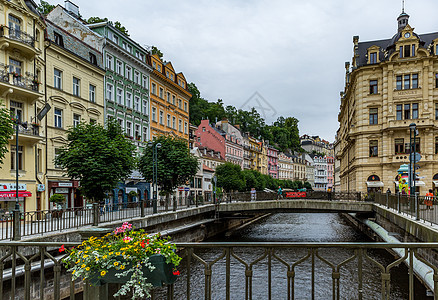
(35, 270)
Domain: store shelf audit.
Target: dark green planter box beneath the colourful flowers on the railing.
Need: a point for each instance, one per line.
(162, 274)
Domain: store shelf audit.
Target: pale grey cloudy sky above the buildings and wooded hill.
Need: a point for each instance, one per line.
(286, 56)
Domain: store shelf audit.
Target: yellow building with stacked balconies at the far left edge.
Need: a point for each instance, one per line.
(22, 91)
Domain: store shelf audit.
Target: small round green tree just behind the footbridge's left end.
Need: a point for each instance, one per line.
(230, 177)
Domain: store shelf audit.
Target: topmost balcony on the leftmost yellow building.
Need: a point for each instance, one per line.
(17, 39)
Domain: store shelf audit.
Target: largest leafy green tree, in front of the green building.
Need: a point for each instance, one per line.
(98, 156)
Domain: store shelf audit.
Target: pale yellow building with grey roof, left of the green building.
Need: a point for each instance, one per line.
(75, 80)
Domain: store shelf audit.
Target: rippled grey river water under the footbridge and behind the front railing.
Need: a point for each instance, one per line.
(297, 227)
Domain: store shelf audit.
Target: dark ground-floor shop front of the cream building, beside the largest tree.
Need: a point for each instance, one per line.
(69, 189)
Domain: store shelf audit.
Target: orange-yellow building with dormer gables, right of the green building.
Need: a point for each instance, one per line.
(169, 100)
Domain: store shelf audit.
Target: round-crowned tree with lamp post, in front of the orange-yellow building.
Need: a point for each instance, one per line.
(176, 165)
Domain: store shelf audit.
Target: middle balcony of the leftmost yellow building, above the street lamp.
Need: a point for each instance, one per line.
(25, 86)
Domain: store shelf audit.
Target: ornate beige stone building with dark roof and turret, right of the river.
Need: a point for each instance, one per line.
(390, 84)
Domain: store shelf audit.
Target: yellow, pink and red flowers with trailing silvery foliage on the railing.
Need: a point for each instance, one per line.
(124, 251)
